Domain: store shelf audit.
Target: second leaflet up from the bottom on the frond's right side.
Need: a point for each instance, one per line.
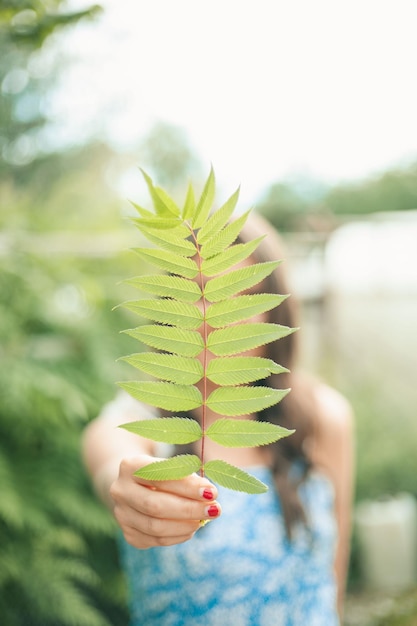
(235, 433)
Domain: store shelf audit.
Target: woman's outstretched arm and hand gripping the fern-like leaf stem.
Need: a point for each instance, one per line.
(149, 513)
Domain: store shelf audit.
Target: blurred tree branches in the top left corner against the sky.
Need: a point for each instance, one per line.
(25, 27)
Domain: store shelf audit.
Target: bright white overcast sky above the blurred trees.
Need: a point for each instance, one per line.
(265, 89)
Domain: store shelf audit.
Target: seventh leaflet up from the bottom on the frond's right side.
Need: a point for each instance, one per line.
(228, 285)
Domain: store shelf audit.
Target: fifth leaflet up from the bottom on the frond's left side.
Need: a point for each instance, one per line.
(169, 339)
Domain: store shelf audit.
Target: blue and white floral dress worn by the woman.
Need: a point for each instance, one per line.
(241, 570)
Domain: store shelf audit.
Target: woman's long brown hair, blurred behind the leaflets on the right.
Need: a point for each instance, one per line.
(298, 409)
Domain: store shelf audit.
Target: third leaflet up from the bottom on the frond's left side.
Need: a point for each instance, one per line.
(164, 395)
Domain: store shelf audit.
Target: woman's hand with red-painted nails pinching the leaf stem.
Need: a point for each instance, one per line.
(160, 513)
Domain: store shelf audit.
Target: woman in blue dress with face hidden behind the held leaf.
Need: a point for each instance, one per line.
(276, 559)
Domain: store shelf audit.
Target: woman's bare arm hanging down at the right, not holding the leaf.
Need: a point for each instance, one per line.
(334, 453)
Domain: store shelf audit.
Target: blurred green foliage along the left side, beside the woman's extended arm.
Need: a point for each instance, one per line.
(58, 347)
